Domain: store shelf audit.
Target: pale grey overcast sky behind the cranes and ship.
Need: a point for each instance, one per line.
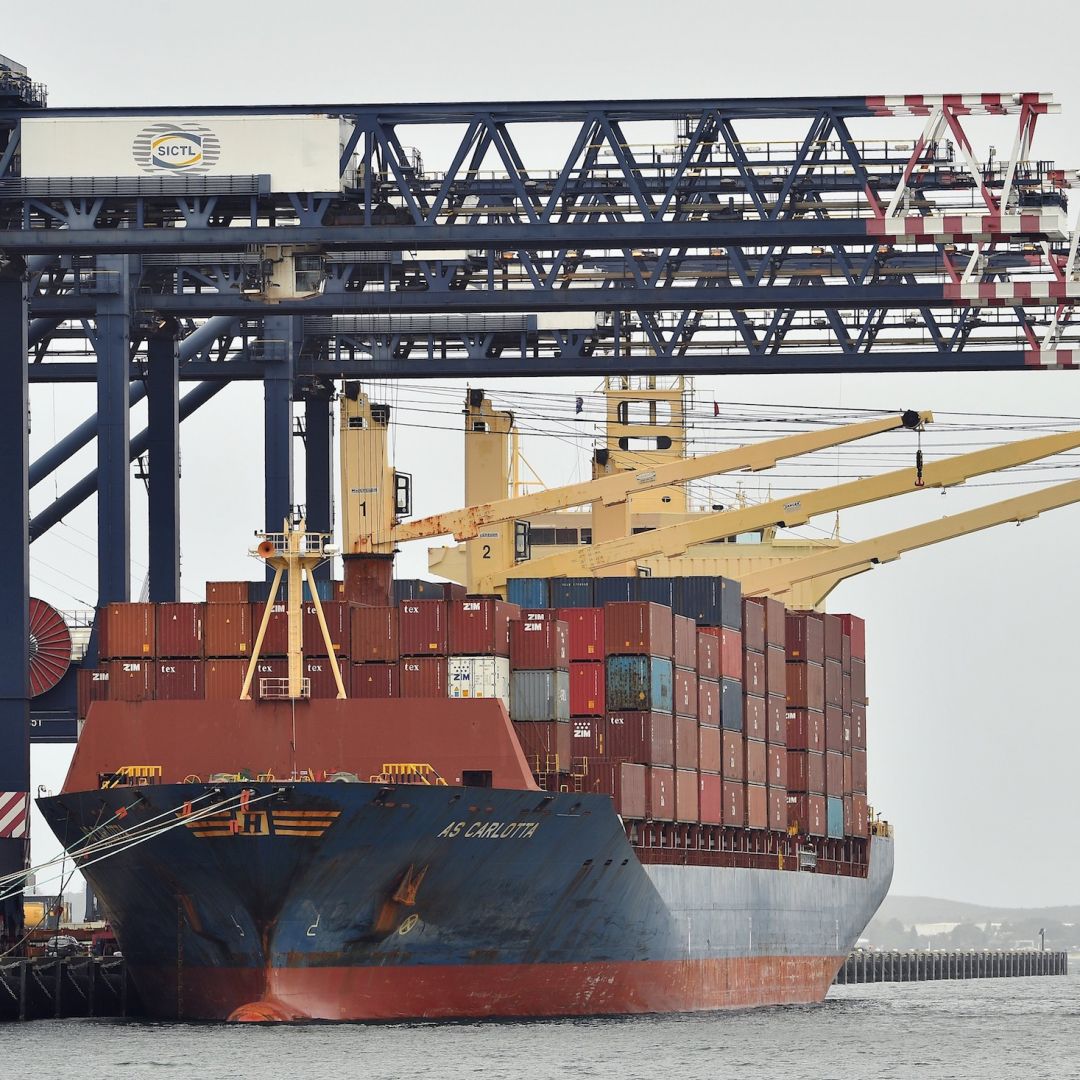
(973, 725)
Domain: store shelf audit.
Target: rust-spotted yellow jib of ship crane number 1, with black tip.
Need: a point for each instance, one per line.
(466, 524)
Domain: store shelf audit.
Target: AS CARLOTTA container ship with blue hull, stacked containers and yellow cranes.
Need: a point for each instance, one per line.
(638, 788)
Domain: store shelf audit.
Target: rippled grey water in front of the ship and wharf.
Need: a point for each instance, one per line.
(996, 1030)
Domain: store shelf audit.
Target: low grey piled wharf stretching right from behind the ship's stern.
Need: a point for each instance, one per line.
(922, 966)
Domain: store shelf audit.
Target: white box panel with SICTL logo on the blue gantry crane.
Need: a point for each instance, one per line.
(300, 153)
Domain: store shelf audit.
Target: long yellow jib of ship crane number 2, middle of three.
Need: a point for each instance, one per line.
(676, 539)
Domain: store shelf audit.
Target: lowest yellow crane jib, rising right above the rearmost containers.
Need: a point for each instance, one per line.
(808, 582)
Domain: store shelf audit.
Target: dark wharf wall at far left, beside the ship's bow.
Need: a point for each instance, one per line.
(60, 988)
